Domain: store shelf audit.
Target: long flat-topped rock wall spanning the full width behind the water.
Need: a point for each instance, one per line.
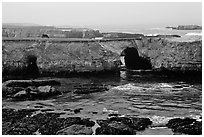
(65, 57)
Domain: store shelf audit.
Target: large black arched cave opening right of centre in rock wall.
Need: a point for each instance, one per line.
(132, 60)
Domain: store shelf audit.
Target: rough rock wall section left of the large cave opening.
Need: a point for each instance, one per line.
(59, 57)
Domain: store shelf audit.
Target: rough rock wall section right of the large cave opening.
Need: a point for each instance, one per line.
(178, 54)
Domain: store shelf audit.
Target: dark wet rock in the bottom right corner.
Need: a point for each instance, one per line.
(186, 126)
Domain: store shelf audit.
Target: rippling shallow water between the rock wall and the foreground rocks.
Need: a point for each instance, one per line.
(131, 93)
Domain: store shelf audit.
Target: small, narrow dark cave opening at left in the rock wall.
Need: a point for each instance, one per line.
(32, 68)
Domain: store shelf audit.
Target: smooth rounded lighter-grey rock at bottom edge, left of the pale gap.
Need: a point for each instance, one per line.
(76, 130)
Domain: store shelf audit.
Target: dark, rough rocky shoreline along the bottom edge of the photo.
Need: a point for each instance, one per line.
(38, 122)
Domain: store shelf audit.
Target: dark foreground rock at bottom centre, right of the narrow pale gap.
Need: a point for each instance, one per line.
(122, 125)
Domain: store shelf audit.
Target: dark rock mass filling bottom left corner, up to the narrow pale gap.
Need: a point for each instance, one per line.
(23, 122)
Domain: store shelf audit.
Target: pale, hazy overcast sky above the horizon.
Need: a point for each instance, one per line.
(99, 14)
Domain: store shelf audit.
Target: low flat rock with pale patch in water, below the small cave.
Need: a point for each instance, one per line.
(29, 89)
